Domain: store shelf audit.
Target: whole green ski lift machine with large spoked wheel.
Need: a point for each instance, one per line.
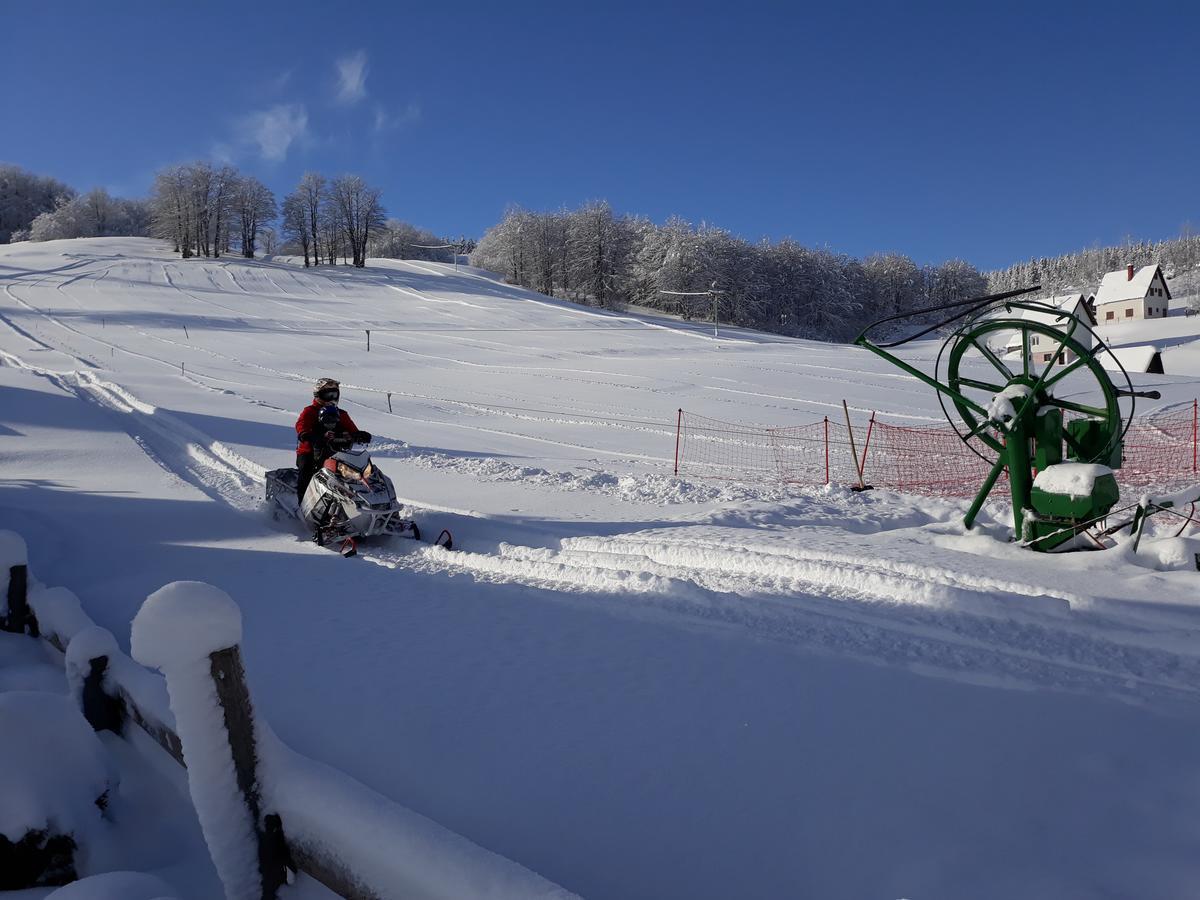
(1029, 395)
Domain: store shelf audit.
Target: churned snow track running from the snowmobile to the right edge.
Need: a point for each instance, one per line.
(989, 633)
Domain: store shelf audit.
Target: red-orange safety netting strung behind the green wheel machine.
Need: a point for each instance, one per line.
(928, 459)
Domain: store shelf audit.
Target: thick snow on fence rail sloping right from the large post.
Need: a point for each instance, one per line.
(391, 850)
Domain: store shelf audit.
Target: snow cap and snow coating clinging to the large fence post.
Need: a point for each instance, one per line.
(176, 631)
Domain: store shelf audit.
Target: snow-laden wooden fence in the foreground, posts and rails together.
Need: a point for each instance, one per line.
(265, 809)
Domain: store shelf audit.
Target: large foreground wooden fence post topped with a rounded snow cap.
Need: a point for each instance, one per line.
(193, 632)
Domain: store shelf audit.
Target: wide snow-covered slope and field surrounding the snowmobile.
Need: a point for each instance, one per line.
(634, 685)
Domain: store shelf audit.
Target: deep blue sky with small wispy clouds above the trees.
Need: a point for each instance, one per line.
(989, 133)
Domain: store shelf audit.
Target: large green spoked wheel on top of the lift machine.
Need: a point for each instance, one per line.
(994, 358)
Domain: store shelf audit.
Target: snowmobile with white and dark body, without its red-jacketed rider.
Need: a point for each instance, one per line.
(347, 500)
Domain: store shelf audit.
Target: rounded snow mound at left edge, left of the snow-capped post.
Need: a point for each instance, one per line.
(52, 766)
